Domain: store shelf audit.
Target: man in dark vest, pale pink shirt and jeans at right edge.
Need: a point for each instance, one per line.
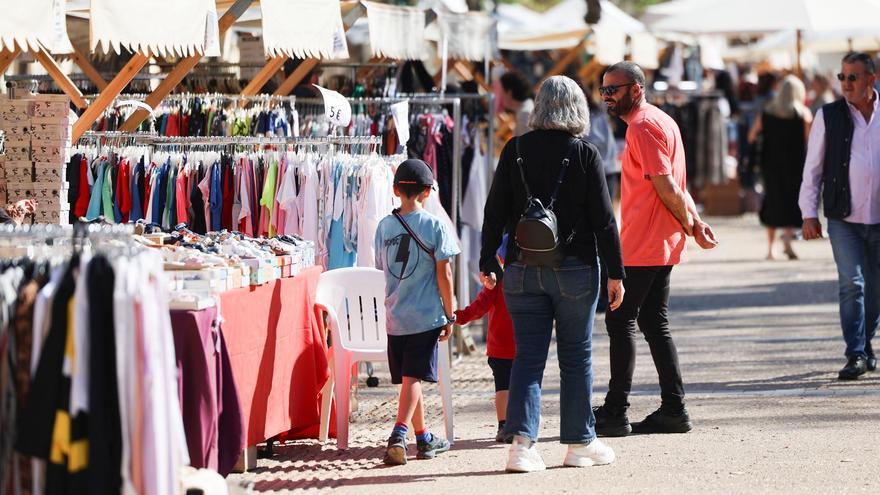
(843, 164)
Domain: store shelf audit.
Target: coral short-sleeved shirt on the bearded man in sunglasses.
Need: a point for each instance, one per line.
(650, 235)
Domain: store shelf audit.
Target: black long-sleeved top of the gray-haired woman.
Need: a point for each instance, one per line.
(582, 203)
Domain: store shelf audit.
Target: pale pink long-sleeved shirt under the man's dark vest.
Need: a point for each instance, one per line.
(864, 168)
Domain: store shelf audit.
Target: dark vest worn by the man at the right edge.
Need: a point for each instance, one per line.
(836, 194)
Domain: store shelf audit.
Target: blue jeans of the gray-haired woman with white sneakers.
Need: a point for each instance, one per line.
(536, 296)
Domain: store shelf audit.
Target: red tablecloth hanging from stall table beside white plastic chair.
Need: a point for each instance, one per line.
(278, 355)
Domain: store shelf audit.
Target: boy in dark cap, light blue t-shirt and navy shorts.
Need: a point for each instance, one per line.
(418, 303)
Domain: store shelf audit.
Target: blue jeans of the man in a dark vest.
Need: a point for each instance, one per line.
(856, 250)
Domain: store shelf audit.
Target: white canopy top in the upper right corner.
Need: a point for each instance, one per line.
(761, 16)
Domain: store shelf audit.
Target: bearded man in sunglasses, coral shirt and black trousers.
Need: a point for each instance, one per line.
(657, 215)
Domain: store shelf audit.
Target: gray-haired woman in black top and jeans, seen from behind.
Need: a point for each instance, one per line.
(554, 165)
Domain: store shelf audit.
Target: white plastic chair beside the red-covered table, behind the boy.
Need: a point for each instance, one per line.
(354, 300)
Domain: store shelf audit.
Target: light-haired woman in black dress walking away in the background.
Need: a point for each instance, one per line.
(783, 126)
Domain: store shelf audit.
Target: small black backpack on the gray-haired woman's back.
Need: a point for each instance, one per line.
(537, 231)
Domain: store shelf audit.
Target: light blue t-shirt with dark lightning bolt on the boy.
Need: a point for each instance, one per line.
(412, 298)
